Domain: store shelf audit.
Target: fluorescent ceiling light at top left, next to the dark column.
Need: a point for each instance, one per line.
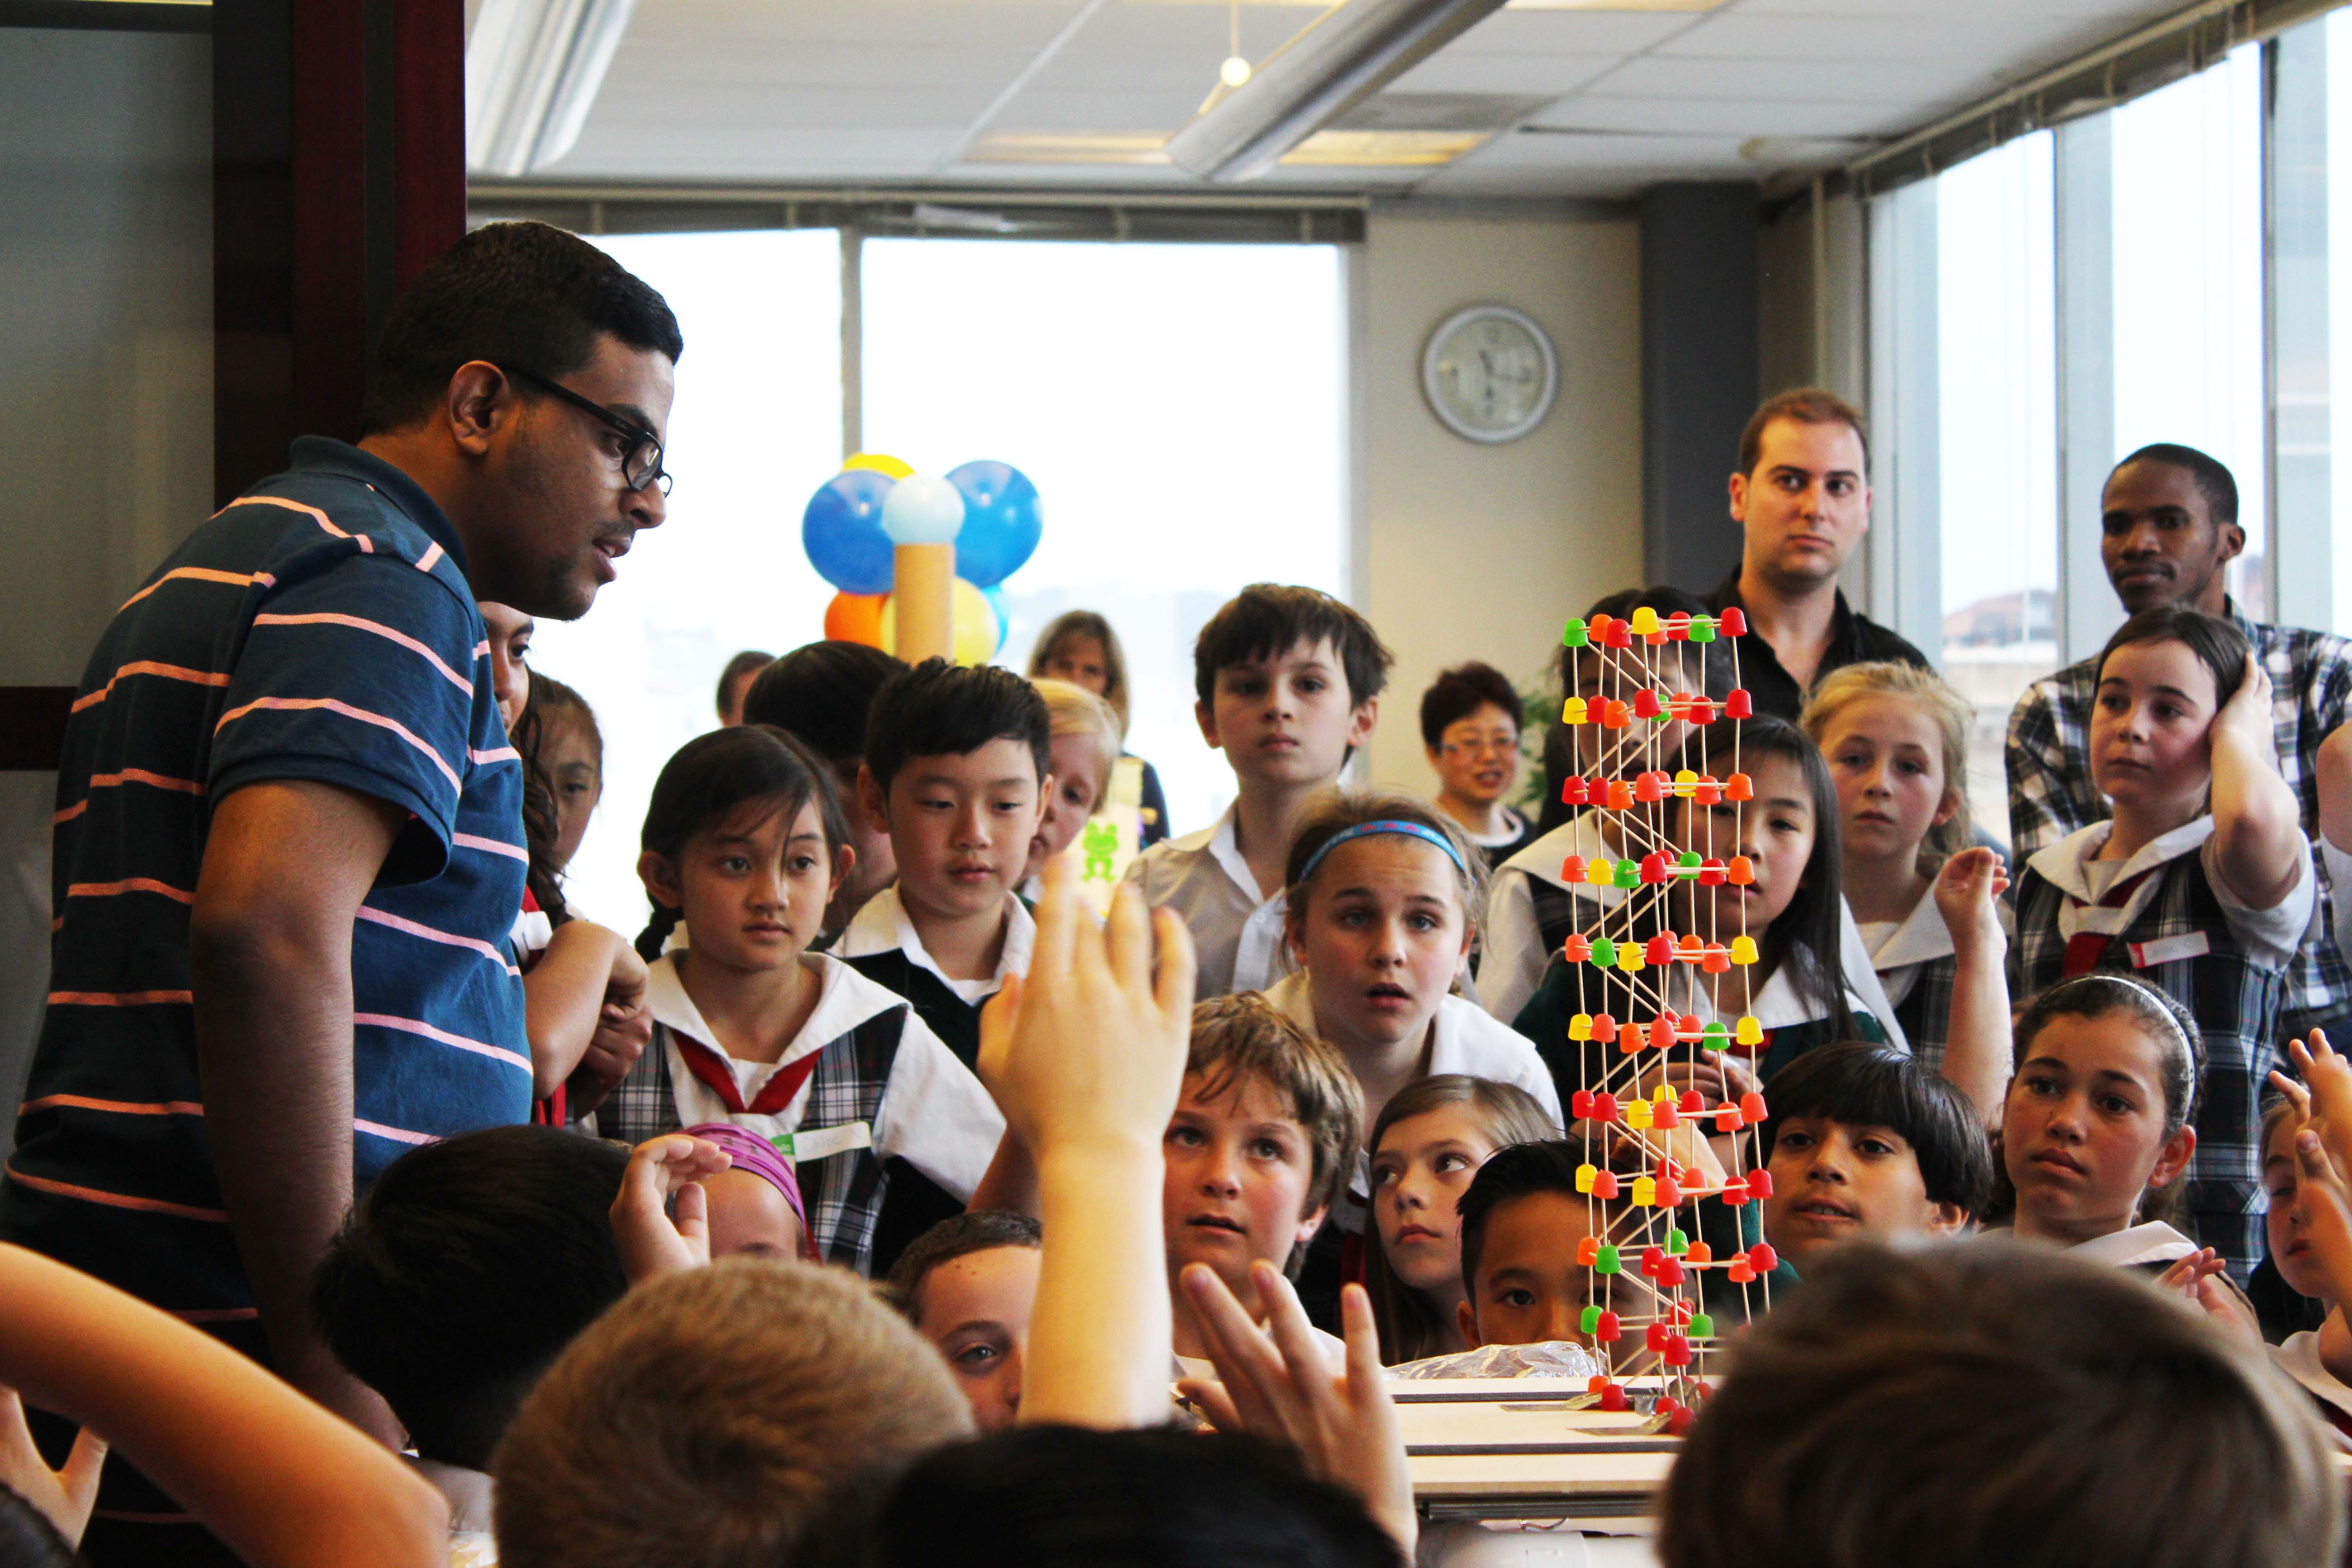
(533, 72)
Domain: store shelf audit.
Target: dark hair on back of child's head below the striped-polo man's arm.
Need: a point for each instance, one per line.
(465, 1271)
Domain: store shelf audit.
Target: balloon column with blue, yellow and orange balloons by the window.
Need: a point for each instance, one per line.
(918, 558)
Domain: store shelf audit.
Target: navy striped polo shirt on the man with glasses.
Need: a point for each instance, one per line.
(319, 626)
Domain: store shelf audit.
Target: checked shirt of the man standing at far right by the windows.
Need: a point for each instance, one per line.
(2052, 793)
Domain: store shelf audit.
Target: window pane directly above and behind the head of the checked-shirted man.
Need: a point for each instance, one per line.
(2189, 286)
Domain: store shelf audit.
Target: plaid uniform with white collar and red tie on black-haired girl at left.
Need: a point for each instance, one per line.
(864, 1083)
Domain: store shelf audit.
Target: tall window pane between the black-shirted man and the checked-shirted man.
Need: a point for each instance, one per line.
(1998, 434)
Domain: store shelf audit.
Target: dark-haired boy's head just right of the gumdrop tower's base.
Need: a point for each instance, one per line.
(1869, 1144)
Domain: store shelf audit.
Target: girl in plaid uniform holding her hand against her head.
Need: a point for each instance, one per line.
(2200, 885)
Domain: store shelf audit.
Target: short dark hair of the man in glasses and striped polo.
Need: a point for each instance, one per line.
(526, 297)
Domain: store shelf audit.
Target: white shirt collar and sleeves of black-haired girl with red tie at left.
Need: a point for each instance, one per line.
(935, 1113)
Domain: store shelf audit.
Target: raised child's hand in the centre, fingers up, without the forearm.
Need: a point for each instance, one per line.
(1090, 1047)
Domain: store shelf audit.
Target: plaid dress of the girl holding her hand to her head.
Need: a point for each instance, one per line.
(2236, 1003)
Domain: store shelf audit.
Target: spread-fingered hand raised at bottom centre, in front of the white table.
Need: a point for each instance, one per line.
(1278, 1386)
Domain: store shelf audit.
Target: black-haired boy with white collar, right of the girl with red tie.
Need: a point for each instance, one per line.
(956, 775)
